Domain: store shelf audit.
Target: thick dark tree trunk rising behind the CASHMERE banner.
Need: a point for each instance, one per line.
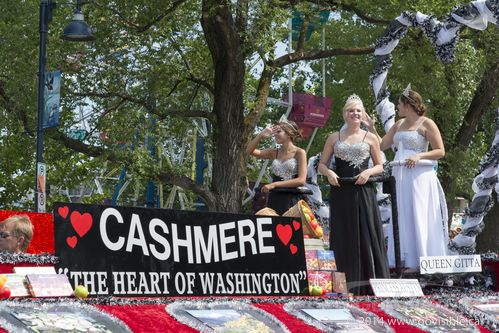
(229, 168)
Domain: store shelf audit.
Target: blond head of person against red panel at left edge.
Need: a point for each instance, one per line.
(15, 234)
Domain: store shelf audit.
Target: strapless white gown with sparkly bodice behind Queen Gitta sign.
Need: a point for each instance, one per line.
(422, 210)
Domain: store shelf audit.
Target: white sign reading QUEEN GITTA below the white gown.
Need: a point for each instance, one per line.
(450, 264)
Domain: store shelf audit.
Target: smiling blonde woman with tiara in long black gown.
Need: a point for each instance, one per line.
(356, 234)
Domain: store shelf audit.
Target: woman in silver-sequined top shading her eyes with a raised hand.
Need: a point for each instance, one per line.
(289, 164)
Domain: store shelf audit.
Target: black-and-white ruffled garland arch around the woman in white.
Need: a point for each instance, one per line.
(444, 37)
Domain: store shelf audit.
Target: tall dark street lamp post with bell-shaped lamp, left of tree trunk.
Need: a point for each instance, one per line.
(77, 30)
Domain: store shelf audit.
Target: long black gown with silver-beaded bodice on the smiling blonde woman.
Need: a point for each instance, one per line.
(356, 231)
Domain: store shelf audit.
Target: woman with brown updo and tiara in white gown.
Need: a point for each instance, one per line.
(422, 211)
